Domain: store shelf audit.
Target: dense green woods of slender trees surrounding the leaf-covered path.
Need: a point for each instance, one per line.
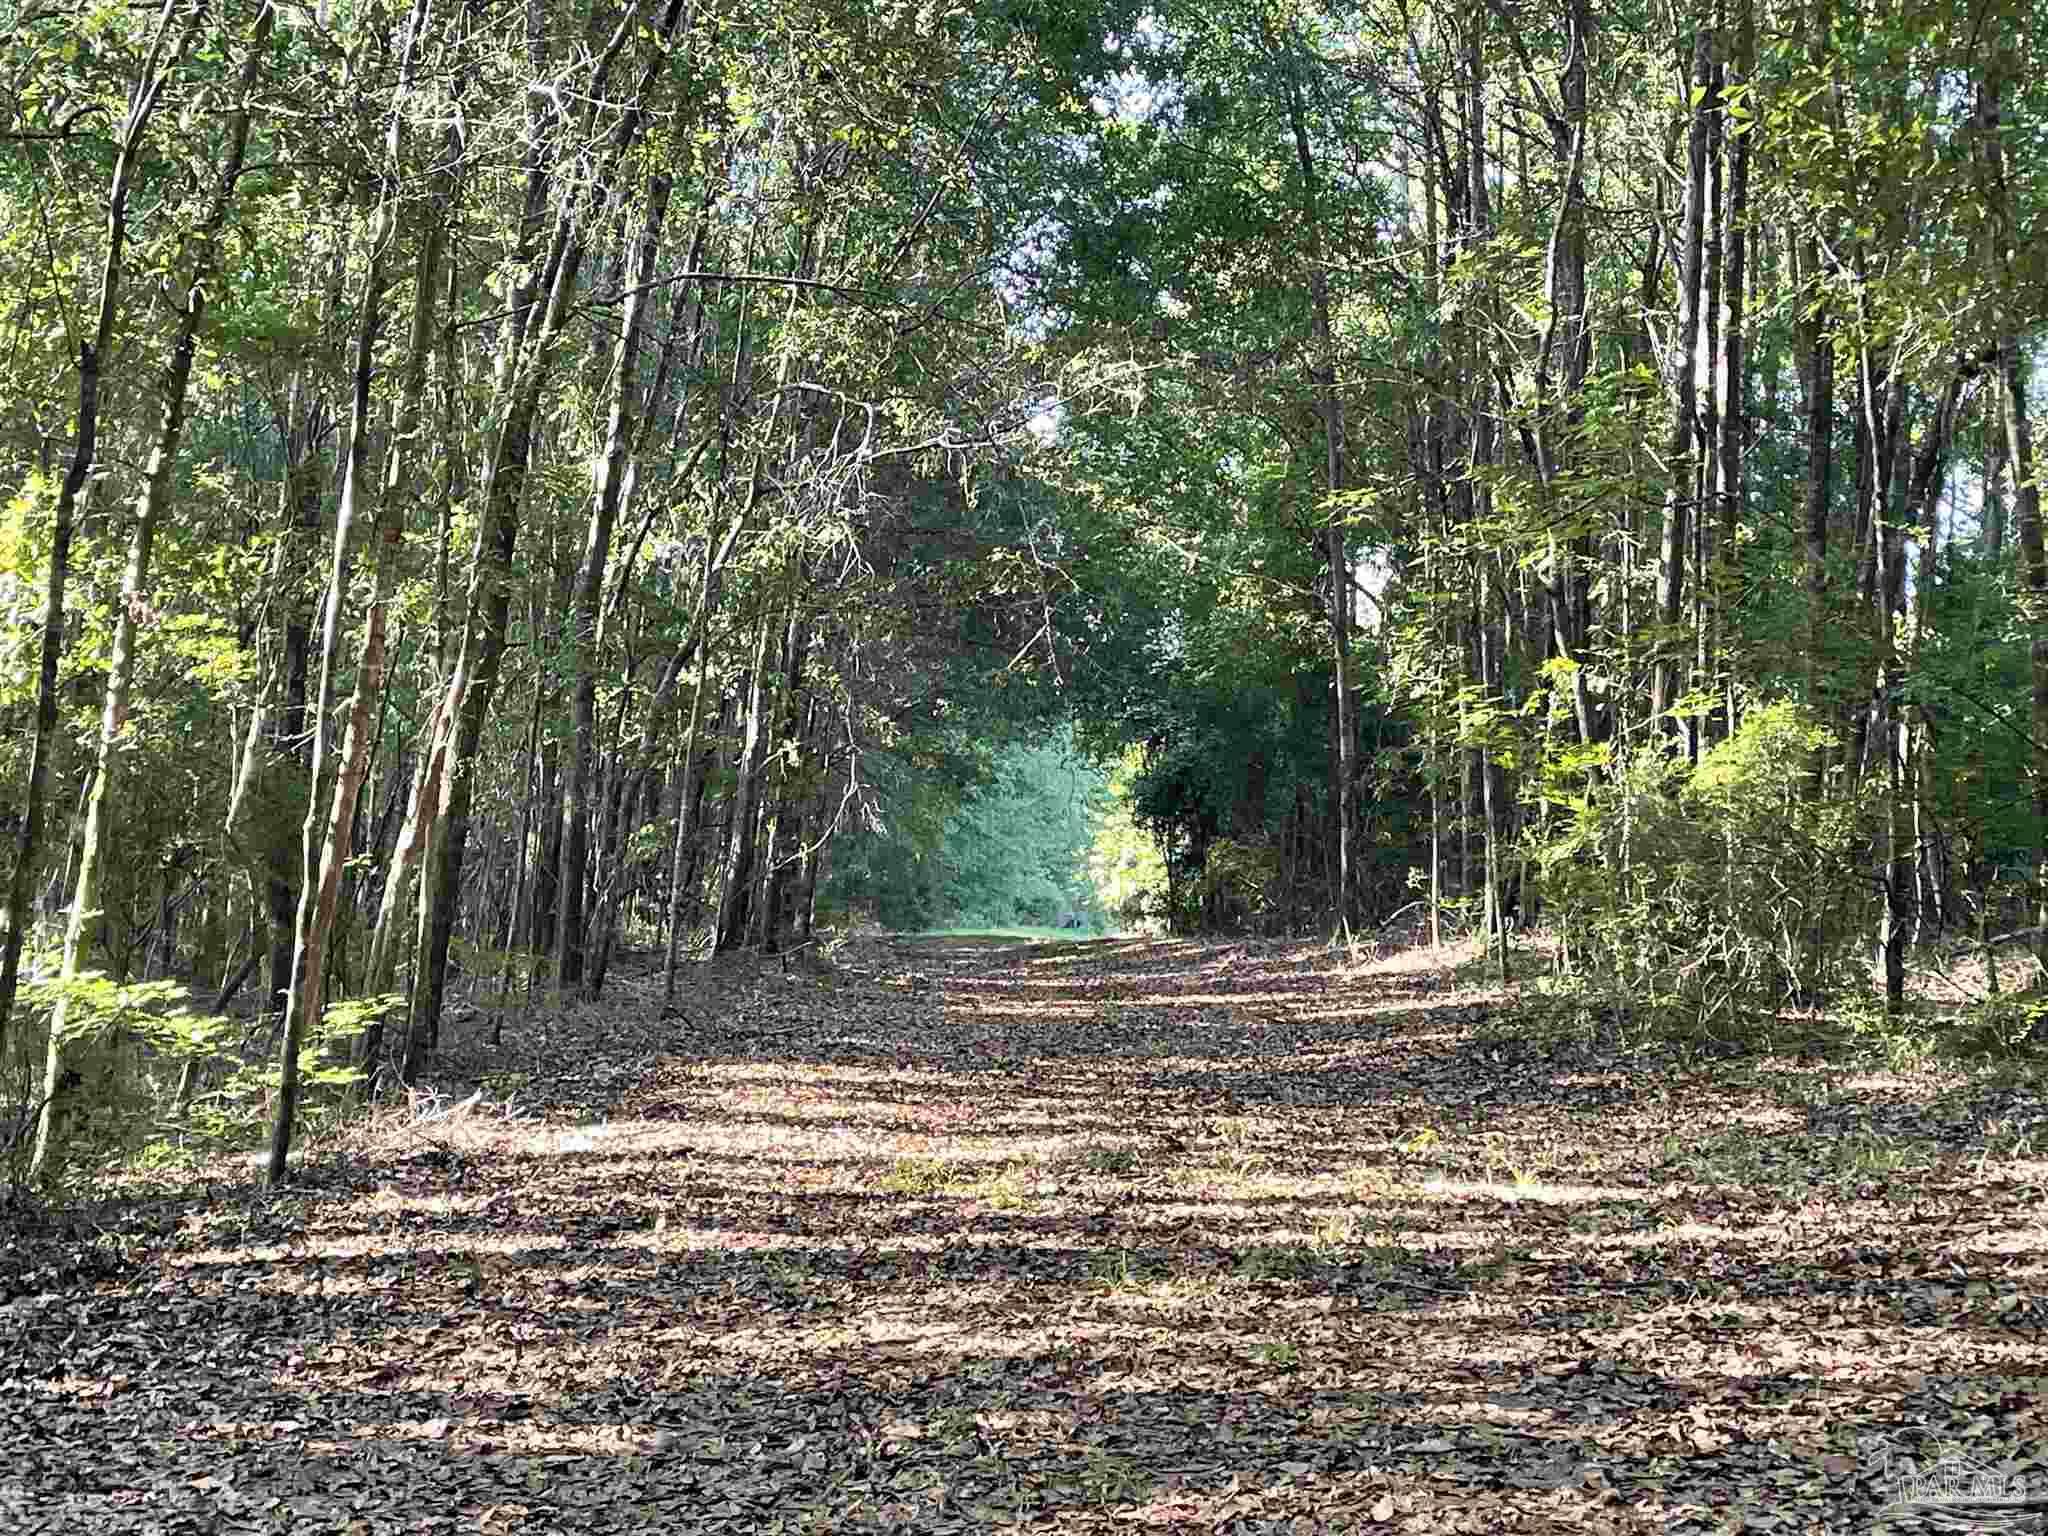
(495, 486)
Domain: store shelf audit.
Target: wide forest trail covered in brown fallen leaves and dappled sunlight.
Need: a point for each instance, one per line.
(1095, 1236)
